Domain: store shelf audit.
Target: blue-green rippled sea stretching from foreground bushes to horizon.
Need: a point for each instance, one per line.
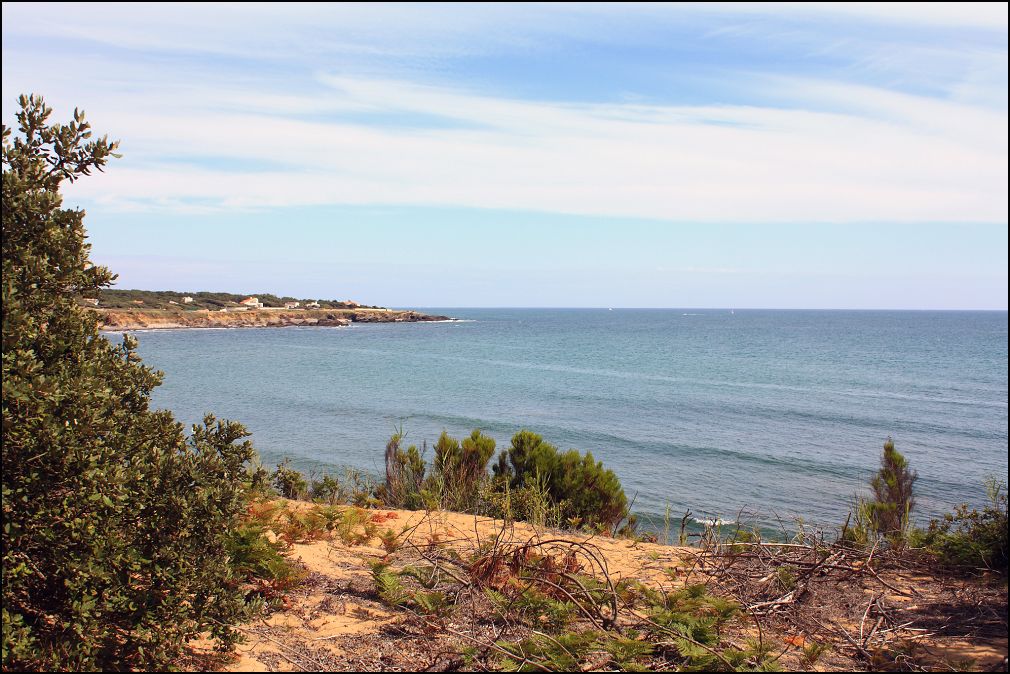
(779, 415)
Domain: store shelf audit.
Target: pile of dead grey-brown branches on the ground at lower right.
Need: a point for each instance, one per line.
(881, 608)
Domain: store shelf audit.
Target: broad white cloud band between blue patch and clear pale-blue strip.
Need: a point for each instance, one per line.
(890, 158)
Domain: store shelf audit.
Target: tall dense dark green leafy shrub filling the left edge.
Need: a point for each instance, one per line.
(117, 529)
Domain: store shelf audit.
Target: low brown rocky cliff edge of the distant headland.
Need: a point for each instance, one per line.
(128, 320)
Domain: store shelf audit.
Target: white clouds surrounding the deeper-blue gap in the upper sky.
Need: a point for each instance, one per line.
(196, 141)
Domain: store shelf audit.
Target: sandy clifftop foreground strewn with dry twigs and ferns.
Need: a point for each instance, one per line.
(474, 589)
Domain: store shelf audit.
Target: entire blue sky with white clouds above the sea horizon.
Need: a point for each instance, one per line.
(718, 155)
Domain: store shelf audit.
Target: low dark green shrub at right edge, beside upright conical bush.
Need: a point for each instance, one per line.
(971, 539)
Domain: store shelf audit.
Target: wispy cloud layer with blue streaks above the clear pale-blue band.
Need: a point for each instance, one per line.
(790, 114)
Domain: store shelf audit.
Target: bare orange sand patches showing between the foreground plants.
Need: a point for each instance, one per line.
(335, 621)
